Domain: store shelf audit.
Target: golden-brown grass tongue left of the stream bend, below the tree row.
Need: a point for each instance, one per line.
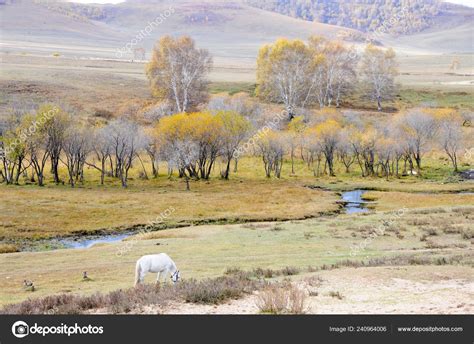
(59, 210)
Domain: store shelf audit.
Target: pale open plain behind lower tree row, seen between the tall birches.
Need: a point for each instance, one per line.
(119, 86)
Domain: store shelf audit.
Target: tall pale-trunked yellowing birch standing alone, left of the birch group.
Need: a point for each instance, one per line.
(177, 72)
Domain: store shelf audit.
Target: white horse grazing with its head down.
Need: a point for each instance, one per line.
(159, 263)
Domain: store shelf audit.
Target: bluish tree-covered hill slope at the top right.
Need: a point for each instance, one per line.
(366, 15)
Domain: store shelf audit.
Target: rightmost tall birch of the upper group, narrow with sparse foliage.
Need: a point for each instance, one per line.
(379, 69)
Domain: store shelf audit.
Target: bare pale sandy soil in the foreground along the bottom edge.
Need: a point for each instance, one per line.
(380, 290)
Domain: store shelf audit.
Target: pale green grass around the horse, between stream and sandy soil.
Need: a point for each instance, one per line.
(421, 236)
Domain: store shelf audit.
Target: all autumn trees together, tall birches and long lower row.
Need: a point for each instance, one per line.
(192, 133)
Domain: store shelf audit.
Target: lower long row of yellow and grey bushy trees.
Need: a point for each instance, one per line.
(192, 143)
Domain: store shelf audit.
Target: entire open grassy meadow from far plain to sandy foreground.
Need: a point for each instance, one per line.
(296, 223)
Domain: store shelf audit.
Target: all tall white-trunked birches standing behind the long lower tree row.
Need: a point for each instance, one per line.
(294, 73)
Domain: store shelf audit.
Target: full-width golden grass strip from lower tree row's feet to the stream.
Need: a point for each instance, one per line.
(32, 212)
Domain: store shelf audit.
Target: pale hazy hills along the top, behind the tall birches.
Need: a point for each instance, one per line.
(233, 31)
